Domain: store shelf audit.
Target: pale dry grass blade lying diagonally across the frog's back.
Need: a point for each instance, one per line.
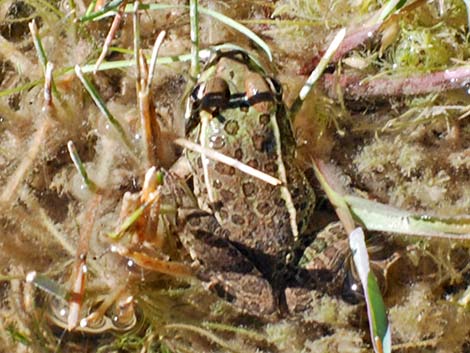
(217, 156)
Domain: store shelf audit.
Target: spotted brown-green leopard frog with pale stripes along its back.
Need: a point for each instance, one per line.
(243, 231)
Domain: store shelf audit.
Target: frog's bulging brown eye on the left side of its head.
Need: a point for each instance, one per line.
(213, 95)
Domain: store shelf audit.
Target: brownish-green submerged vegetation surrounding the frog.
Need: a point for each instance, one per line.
(390, 113)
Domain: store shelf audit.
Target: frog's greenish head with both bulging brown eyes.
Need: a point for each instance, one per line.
(234, 79)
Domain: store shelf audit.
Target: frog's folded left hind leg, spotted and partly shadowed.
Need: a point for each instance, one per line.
(220, 264)
